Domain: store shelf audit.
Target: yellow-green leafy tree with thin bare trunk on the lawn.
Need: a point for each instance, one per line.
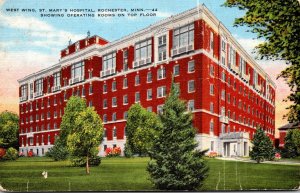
(87, 136)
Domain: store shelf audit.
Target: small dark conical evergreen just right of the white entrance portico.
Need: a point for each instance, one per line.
(262, 147)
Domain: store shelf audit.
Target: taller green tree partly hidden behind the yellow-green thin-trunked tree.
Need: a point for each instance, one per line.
(74, 107)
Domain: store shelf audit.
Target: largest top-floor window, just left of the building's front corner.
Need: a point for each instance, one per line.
(183, 36)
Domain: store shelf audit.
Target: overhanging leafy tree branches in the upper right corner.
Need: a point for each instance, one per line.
(278, 23)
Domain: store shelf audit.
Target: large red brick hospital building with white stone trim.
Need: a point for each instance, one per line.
(227, 91)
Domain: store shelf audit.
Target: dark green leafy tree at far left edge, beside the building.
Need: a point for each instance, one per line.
(9, 130)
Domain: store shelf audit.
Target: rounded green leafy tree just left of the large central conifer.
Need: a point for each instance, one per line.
(141, 129)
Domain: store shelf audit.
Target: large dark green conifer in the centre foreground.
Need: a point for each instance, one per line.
(175, 163)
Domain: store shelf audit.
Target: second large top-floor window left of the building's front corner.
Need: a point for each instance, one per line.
(143, 50)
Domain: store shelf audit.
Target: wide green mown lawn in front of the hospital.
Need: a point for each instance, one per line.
(130, 174)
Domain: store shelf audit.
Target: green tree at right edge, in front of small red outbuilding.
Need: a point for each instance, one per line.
(292, 143)
